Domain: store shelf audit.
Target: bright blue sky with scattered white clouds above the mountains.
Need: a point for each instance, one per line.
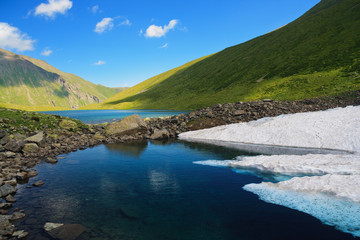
(121, 43)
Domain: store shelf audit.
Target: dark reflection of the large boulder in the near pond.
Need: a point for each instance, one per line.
(134, 149)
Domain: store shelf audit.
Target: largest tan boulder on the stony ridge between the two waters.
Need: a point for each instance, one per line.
(127, 126)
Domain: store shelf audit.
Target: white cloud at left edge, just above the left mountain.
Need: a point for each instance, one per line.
(13, 38)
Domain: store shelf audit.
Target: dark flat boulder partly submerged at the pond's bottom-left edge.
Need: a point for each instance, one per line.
(67, 232)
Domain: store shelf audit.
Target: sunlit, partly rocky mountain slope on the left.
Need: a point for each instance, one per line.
(29, 83)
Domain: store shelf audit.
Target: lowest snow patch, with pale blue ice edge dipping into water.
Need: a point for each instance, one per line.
(338, 212)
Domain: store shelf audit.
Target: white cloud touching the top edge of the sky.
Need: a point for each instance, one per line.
(53, 7)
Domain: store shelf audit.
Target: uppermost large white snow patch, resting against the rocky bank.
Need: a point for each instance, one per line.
(331, 129)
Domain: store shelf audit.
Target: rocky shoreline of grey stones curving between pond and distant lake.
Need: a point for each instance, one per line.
(22, 147)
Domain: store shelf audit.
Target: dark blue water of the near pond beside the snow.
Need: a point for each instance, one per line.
(153, 191)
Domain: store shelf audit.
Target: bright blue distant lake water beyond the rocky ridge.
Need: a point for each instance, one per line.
(101, 116)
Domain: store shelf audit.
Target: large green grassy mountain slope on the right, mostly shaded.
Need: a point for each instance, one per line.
(316, 55)
